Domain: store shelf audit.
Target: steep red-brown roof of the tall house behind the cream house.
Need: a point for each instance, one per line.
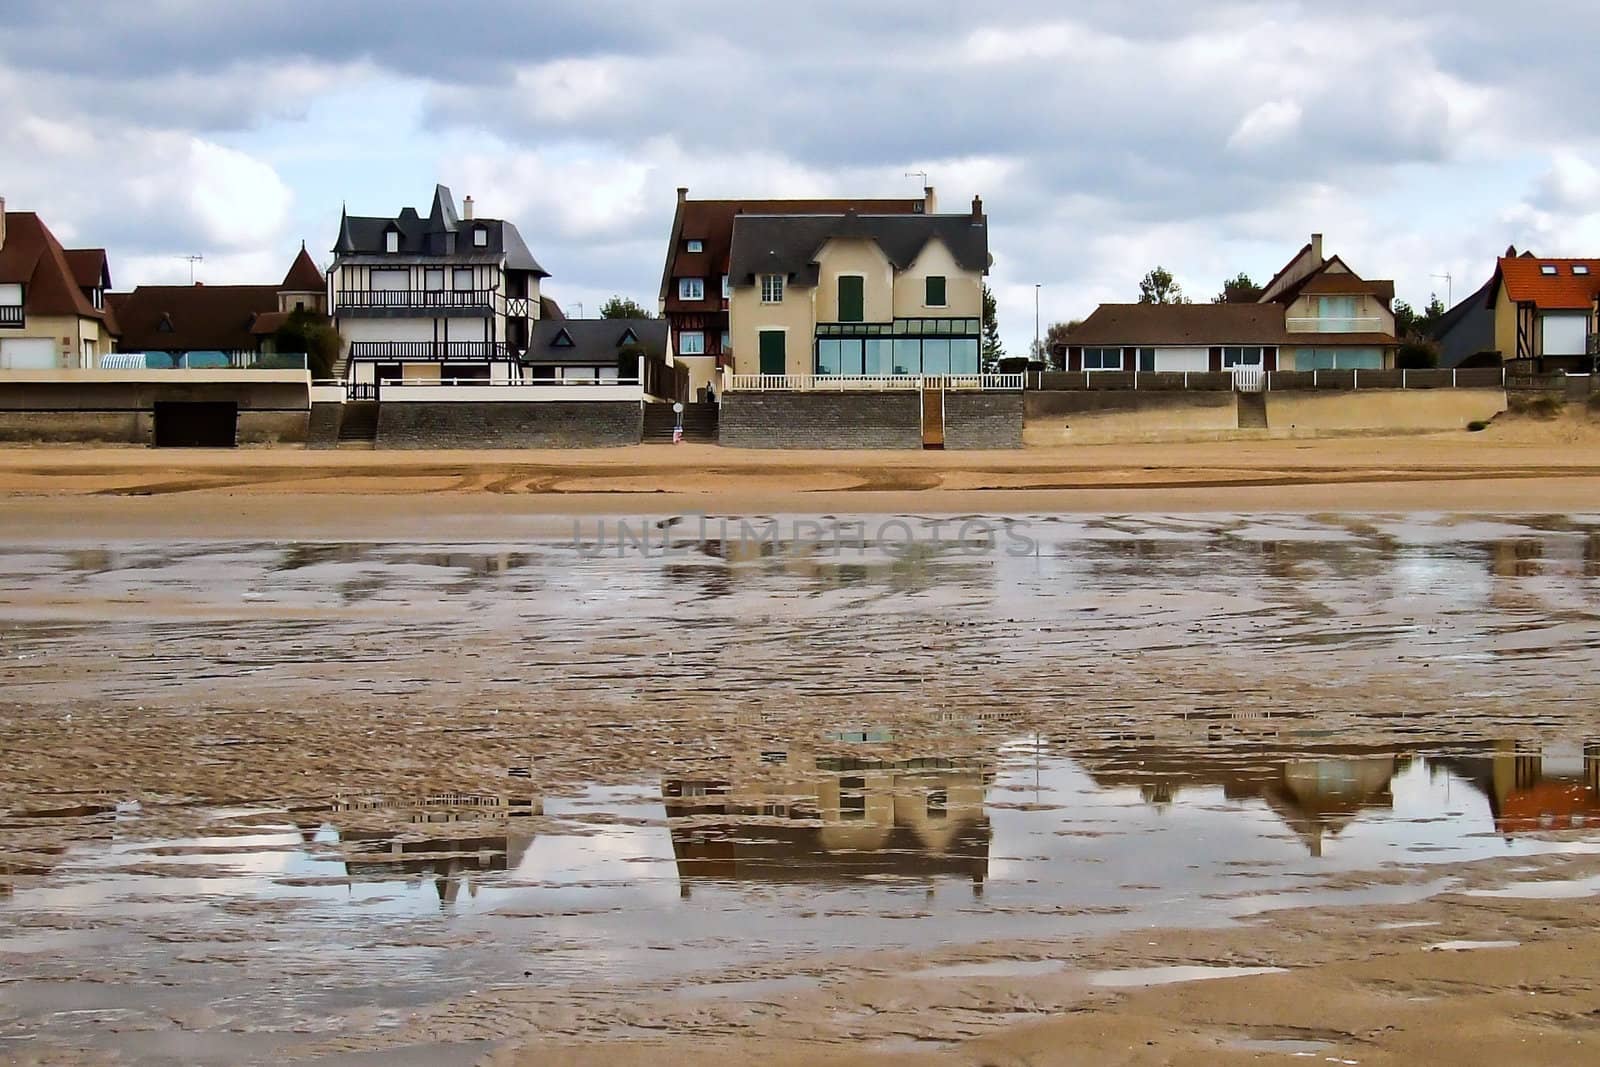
(711, 222)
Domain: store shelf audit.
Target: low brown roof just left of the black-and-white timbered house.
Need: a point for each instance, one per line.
(193, 318)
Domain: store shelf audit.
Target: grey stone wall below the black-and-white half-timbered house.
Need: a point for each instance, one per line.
(511, 425)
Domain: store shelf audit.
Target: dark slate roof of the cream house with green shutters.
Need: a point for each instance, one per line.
(788, 244)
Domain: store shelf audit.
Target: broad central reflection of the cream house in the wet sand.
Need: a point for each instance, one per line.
(852, 820)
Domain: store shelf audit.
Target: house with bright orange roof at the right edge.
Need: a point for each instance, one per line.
(1545, 311)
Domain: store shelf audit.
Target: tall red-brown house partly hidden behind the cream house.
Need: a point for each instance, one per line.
(695, 284)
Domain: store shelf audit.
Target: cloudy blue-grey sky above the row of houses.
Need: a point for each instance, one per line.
(1105, 137)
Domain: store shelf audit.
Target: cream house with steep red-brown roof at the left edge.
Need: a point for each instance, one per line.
(54, 308)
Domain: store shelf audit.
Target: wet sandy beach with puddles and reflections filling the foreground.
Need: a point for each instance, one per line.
(478, 794)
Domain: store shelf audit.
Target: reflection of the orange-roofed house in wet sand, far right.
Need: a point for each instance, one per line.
(1554, 788)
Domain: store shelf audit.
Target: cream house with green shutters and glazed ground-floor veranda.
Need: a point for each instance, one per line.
(858, 295)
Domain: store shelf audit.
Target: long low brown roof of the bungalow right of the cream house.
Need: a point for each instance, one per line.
(1202, 326)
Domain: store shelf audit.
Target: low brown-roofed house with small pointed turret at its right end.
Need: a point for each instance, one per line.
(217, 324)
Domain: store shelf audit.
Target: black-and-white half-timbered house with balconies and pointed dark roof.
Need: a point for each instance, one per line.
(439, 297)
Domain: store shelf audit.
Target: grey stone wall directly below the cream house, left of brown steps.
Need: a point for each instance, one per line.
(822, 420)
